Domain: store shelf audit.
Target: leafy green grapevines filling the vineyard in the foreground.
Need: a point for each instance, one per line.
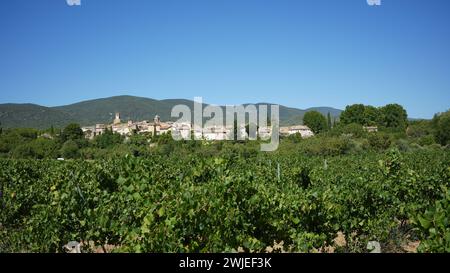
(228, 203)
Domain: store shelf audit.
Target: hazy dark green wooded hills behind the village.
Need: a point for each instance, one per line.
(102, 111)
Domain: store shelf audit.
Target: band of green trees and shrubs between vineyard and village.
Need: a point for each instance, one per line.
(337, 136)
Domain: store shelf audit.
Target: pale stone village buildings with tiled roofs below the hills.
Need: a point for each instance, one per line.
(158, 127)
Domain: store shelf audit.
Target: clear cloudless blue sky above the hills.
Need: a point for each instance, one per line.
(299, 53)
